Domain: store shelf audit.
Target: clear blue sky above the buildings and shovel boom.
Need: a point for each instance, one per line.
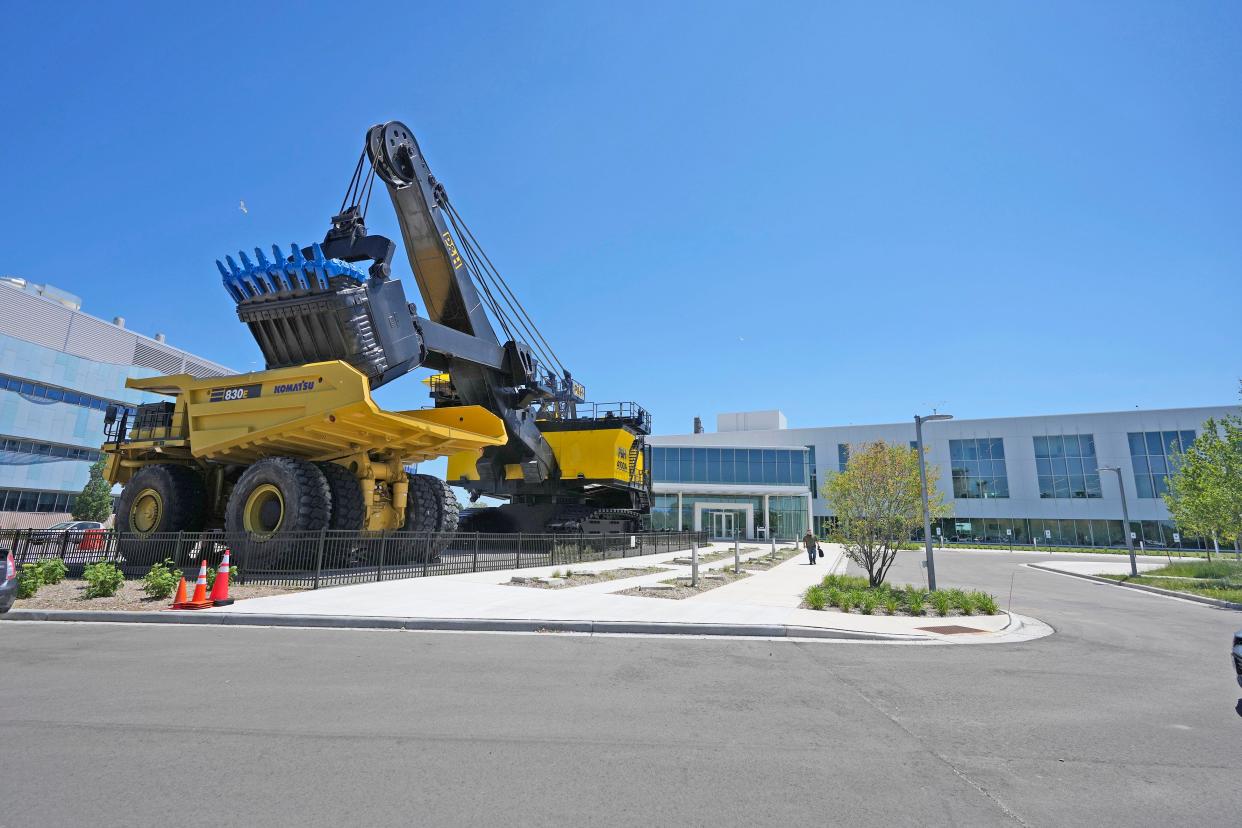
(849, 212)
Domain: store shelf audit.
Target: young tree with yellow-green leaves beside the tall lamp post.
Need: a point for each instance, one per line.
(879, 505)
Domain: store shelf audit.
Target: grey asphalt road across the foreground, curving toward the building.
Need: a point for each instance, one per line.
(1128, 716)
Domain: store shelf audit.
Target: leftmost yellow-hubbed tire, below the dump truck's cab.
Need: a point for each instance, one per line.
(161, 498)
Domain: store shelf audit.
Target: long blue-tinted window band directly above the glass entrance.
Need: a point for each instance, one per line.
(751, 466)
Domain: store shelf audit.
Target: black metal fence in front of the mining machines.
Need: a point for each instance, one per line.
(312, 560)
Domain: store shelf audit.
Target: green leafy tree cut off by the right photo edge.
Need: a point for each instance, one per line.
(1205, 493)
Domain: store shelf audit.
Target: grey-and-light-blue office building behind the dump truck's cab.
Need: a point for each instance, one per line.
(60, 369)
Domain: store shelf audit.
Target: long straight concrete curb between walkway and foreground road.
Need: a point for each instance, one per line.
(459, 625)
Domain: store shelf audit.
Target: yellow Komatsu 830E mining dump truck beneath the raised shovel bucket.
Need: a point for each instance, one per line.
(285, 451)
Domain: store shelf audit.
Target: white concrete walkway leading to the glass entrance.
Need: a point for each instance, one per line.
(763, 604)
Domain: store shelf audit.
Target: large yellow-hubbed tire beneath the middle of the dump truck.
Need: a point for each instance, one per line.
(276, 500)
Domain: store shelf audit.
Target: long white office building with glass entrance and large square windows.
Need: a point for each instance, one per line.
(1014, 480)
